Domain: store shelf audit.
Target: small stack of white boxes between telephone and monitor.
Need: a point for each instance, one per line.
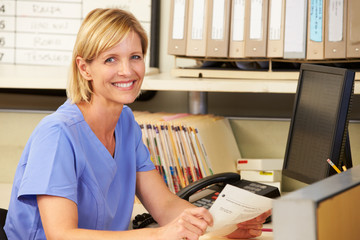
(267, 171)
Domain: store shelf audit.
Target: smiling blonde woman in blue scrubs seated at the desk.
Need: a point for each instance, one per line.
(83, 164)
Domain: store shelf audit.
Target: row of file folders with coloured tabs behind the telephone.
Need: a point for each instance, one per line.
(184, 148)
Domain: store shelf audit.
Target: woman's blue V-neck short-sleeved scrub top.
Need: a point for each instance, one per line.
(63, 157)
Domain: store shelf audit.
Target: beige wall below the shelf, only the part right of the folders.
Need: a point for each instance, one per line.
(266, 138)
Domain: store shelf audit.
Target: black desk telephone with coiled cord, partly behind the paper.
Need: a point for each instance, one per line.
(203, 193)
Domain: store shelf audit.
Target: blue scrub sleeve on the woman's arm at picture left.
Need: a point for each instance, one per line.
(50, 168)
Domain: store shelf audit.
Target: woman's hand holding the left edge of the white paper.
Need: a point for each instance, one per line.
(190, 224)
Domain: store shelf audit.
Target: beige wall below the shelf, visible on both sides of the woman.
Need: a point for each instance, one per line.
(256, 138)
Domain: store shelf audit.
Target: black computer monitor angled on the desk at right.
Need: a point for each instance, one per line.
(319, 124)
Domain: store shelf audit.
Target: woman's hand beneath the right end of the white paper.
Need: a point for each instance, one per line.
(251, 228)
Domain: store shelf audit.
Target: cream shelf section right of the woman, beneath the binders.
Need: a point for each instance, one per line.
(251, 82)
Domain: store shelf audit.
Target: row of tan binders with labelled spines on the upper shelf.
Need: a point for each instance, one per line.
(290, 29)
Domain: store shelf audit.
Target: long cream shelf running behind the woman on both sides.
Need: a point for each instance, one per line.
(35, 77)
